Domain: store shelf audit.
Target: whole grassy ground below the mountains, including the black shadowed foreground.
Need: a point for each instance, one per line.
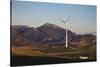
(29, 55)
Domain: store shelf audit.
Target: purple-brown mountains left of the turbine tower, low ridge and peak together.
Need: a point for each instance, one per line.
(47, 33)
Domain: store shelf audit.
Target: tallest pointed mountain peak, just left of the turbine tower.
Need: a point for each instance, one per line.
(54, 34)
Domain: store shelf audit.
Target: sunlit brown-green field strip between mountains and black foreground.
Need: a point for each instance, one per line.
(54, 52)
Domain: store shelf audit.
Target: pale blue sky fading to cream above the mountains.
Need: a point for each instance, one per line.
(35, 14)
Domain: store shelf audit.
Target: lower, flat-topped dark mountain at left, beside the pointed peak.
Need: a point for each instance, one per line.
(27, 34)
